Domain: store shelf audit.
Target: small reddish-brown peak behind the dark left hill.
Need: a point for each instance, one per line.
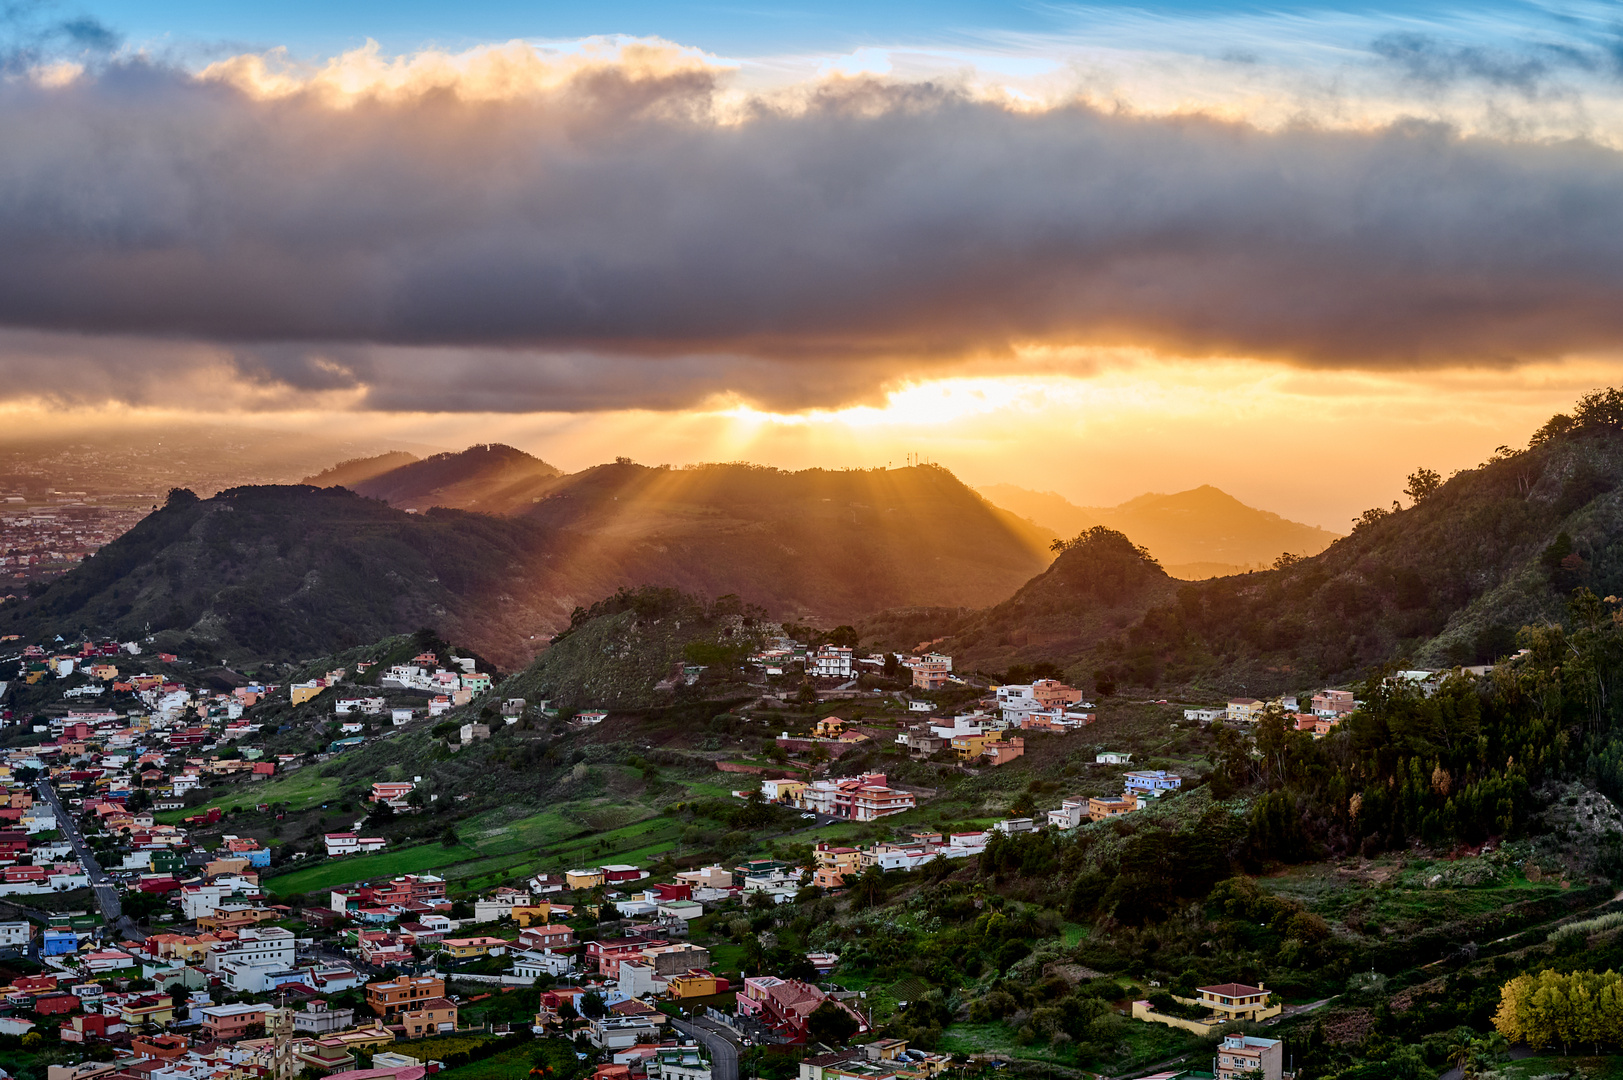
(491, 478)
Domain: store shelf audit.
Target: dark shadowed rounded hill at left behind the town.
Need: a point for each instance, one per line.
(296, 572)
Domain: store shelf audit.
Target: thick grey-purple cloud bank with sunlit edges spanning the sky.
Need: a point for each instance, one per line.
(605, 231)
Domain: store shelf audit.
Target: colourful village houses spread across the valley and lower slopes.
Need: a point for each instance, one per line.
(186, 959)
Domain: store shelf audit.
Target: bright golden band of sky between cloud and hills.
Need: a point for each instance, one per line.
(1315, 447)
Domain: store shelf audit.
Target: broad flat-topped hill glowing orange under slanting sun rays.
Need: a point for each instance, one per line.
(835, 545)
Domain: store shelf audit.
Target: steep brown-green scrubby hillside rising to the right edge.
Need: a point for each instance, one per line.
(1447, 582)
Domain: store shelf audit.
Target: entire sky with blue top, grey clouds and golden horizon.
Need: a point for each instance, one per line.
(1293, 251)
